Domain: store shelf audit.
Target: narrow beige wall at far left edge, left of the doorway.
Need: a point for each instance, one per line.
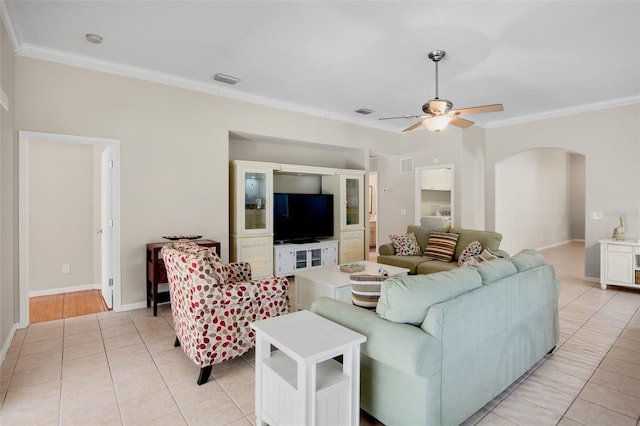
(9, 302)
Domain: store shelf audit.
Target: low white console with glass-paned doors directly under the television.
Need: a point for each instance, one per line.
(291, 258)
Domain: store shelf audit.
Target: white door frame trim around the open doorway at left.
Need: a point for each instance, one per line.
(24, 139)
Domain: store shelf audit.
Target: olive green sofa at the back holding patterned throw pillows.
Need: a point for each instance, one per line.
(425, 265)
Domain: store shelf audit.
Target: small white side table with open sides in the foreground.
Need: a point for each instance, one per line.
(300, 383)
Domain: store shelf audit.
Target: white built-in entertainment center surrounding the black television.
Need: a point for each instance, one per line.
(251, 216)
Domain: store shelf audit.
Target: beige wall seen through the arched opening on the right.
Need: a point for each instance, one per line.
(540, 199)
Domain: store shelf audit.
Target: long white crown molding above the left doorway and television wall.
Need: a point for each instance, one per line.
(53, 55)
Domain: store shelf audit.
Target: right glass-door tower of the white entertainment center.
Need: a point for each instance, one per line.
(348, 189)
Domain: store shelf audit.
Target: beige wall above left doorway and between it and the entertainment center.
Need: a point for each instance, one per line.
(174, 148)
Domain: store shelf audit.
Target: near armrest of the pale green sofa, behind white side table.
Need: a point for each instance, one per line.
(402, 346)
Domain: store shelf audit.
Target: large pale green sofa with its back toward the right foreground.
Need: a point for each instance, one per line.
(441, 346)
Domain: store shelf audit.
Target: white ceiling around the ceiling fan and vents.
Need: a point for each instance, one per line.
(539, 59)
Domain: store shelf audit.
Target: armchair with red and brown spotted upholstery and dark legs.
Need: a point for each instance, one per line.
(213, 305)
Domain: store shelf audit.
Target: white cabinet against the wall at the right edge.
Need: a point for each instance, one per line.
(619, 263)
